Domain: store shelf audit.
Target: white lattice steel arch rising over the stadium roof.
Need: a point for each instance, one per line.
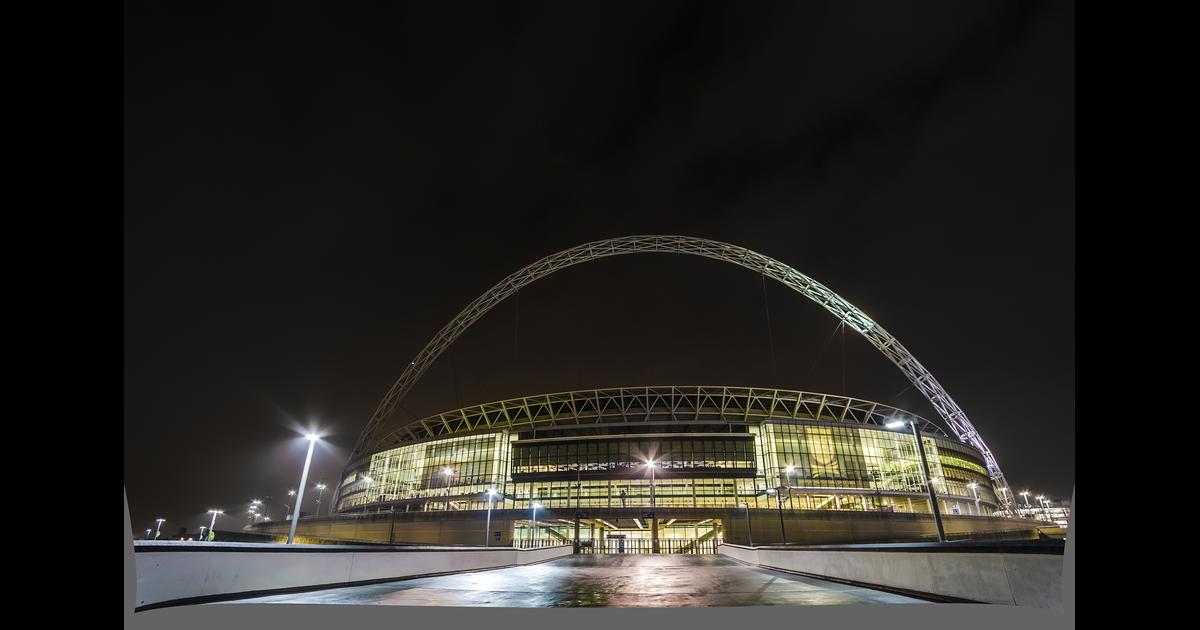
(921, 379)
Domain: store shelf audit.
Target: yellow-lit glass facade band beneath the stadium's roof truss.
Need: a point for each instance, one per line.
(809, 466)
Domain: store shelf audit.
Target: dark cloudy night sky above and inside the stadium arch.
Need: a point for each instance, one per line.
(313, 193)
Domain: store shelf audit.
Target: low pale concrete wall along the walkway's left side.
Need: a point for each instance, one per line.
(185, 573)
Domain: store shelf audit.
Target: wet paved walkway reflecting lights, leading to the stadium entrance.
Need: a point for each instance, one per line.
(616, 581)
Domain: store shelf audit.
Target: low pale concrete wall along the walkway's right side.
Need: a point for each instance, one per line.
(1017, 579)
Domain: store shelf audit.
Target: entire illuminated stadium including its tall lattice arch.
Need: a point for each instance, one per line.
(669, 470)
